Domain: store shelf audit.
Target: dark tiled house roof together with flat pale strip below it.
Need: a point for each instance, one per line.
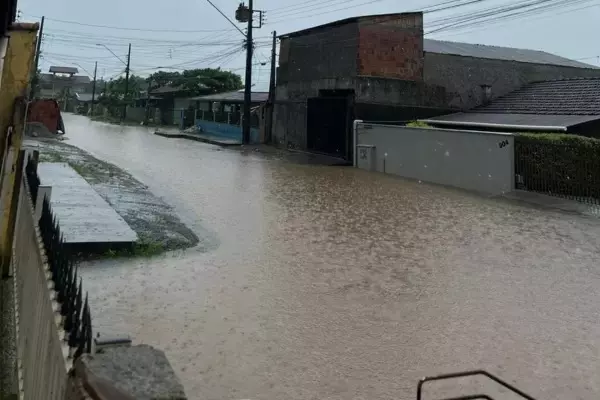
(564, 105)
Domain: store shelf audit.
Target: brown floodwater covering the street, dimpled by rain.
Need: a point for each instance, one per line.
(335, 283)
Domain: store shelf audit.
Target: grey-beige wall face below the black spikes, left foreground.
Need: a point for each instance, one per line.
(41, 351)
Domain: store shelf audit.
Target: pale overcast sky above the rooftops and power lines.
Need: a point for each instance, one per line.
(192, 34)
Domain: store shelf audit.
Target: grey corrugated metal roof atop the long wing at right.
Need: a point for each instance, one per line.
(499, 53)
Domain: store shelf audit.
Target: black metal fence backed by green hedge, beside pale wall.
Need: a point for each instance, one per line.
(568, 170)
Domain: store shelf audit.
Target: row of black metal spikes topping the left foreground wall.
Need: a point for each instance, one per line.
(75, 311)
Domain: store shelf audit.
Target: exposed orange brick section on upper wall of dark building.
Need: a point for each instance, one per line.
(391, 47)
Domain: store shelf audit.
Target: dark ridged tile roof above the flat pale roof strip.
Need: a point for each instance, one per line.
(559, 97)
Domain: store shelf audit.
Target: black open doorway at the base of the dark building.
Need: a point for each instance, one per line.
(329, 125)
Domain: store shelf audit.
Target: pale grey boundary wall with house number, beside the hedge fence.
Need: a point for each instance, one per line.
(479, 161)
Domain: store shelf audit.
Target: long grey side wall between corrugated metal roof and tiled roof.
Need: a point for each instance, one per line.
(462, 77)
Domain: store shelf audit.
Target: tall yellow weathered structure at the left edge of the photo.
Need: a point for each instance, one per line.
(16, 74)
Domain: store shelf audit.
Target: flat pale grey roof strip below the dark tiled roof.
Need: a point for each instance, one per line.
(530, 122)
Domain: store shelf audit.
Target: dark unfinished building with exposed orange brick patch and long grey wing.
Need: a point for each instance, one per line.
(380, 68)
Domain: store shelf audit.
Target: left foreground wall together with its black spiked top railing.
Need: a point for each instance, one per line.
(53, 322)
